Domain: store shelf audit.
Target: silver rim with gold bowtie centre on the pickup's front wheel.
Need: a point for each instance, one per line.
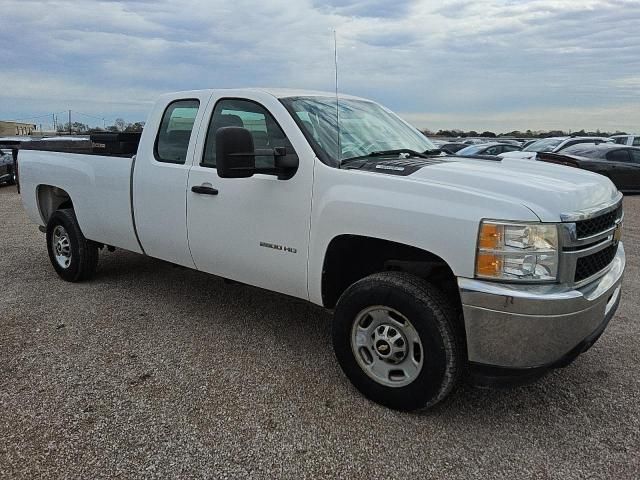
(387, 346)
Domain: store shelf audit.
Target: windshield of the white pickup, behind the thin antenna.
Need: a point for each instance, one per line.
(365, 127)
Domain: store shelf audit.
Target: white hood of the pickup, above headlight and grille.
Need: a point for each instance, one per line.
(548, 190)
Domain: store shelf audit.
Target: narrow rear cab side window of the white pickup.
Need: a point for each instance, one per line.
(176, 126)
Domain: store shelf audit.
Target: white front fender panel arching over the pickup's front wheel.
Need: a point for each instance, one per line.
(439, 219)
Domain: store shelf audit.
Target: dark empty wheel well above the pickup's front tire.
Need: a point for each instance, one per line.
(350, 258)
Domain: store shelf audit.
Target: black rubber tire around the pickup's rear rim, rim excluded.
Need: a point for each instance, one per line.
(84, 253)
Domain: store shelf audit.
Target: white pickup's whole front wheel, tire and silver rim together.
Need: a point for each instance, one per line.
(395, 338)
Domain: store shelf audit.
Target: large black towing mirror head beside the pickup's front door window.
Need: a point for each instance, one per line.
(235, 156)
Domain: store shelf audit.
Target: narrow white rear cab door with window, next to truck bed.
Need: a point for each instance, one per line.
(161, 175)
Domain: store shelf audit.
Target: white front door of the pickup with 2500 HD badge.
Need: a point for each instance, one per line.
(254, 230)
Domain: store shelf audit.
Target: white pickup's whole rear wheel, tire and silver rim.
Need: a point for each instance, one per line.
(73, 257)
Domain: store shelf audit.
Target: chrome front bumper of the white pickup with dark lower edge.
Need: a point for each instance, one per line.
(533, 327)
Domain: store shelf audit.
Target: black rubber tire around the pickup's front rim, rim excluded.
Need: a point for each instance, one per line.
(430, 314)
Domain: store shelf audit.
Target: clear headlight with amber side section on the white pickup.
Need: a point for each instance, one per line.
(517, 252)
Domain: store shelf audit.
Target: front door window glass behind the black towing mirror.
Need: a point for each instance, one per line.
(266, 133)
